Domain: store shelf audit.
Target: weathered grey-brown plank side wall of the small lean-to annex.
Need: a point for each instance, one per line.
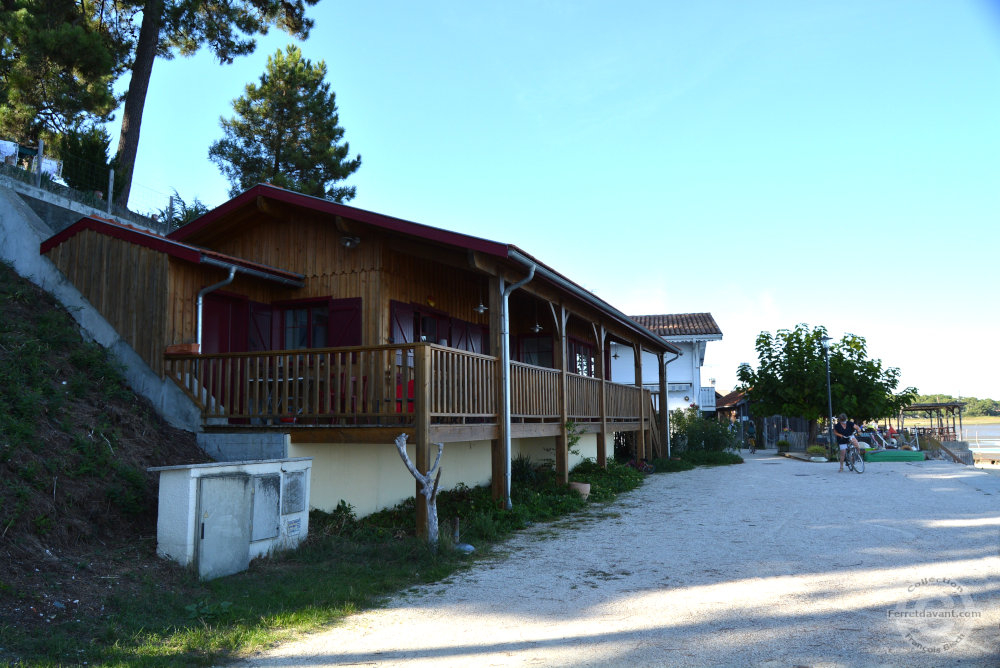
(126, 283)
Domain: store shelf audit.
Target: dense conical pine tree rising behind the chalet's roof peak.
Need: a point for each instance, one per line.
(286, 133)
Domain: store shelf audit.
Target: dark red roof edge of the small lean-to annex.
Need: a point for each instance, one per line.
(157, 242)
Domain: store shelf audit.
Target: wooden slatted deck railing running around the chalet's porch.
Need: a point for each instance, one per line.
(380, 385)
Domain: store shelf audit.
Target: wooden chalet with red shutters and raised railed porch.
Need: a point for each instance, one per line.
(334, 329)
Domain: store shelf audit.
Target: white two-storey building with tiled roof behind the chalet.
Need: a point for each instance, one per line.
(690, 332)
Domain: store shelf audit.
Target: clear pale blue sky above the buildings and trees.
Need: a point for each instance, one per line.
(773, 163)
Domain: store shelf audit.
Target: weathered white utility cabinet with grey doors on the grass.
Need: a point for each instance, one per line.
(221, 515)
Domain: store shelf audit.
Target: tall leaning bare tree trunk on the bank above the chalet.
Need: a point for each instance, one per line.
(135, 99)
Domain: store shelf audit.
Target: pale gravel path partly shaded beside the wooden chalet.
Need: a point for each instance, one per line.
(777, 562)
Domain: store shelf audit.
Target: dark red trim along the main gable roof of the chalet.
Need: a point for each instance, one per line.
(334, 209)
